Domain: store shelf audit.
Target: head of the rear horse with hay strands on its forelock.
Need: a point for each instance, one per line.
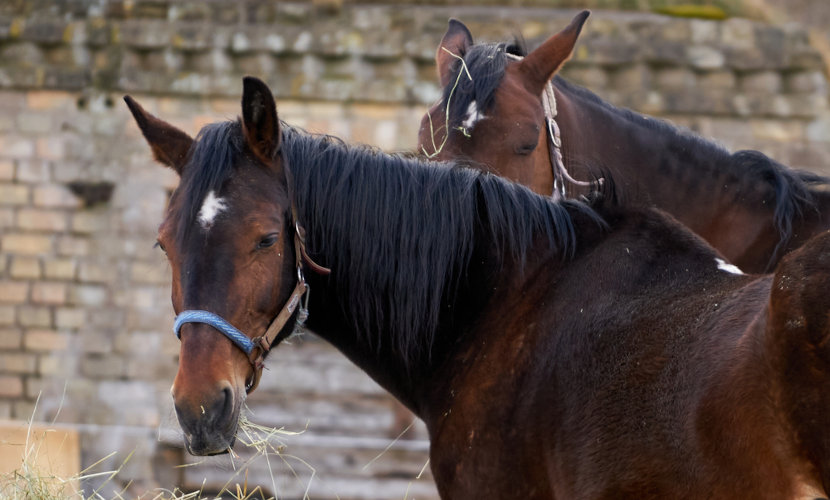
(492, 109)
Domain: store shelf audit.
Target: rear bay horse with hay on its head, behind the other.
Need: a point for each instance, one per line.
(493, 112)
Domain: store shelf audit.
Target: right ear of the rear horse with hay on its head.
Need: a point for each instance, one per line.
(543, 63)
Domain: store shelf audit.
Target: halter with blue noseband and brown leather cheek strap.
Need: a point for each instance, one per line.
(258, 347)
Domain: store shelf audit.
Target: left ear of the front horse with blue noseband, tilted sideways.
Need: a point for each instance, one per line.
(170, 145)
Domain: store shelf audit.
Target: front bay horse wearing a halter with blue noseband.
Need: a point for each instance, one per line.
(554, 349)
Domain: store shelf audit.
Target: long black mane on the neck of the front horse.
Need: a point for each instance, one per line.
(398, 233)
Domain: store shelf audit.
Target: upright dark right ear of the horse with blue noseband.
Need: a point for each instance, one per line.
(259, 119)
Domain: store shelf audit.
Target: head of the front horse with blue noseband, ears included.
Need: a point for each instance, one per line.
(228, 236)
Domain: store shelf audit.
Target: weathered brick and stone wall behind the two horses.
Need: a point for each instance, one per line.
(85, 315)
